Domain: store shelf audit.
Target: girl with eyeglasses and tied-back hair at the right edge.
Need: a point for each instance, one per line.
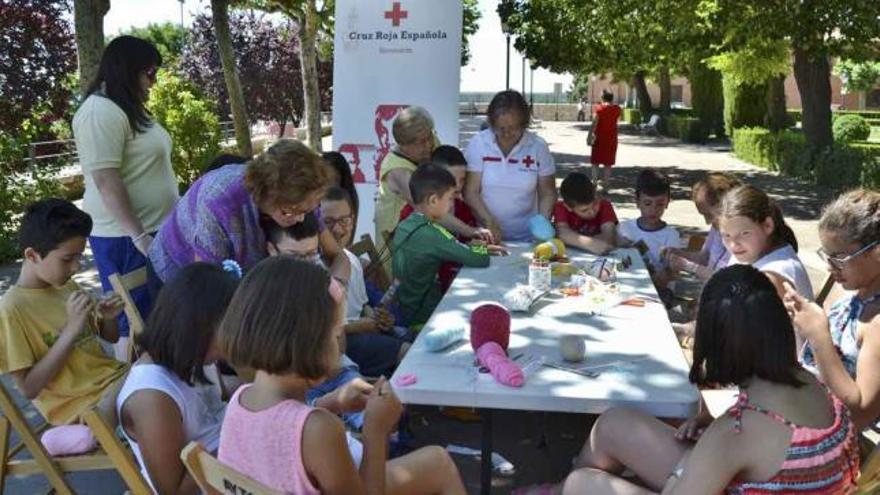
(843, 348)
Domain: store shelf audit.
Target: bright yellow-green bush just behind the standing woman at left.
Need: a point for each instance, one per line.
(191, 121)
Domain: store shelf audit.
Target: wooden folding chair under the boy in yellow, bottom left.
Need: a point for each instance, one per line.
(53, 468)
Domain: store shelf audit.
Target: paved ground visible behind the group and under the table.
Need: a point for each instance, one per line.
(541, 446)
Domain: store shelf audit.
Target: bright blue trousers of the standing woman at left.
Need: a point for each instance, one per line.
(118, 255)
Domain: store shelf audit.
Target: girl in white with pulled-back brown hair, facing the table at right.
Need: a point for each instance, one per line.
(755, 233)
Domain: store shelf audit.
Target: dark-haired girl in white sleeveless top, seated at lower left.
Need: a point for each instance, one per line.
(167, 400)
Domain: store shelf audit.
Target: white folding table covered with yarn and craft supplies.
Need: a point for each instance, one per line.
(647, 369)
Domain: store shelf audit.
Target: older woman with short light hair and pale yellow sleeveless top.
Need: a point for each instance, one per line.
(413, 131)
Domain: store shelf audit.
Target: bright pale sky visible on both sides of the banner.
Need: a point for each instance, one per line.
(485, 72)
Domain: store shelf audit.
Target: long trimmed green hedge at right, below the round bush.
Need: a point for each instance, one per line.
(841, 167)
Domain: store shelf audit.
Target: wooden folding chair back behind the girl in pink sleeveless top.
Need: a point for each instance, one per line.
(215, 478)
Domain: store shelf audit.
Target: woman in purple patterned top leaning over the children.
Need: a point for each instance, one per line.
(219, 216)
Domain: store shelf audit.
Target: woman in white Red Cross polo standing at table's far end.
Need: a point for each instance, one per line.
(511, 173)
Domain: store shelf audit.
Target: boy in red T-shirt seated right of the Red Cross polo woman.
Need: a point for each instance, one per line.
(583, 219)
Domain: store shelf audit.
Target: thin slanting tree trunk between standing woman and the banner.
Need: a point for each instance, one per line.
(220, 13)
